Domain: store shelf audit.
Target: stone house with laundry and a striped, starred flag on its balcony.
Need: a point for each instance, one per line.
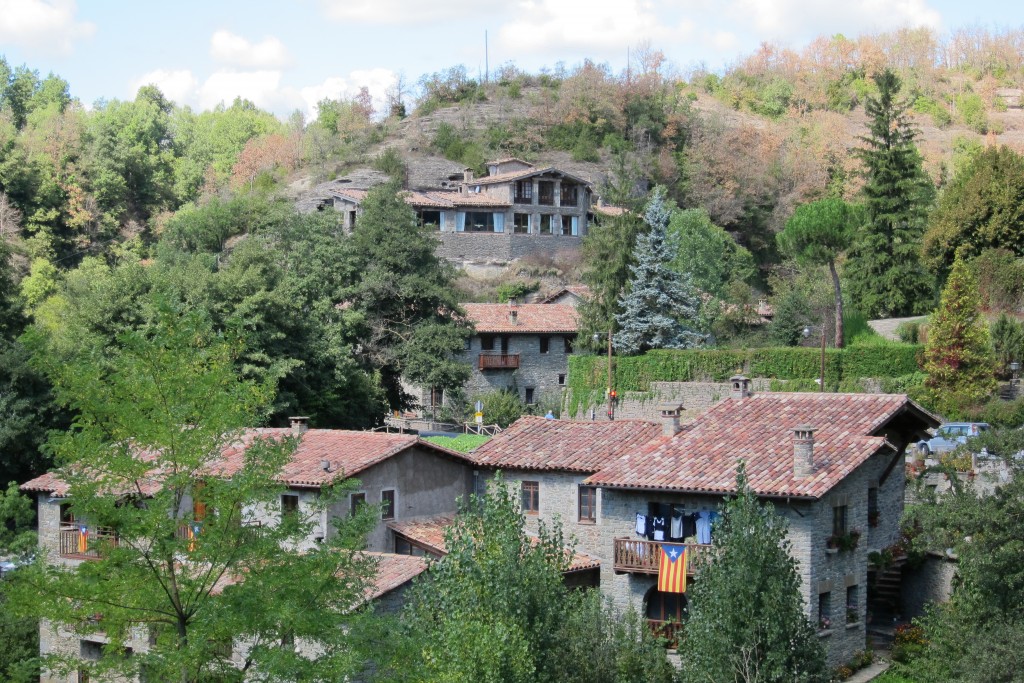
(833, 465)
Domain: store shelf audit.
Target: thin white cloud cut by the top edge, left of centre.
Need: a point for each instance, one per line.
(410, 12)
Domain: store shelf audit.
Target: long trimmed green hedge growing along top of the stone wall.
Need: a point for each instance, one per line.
(844, 368)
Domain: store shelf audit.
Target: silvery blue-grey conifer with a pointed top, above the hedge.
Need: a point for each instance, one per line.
(660, 306)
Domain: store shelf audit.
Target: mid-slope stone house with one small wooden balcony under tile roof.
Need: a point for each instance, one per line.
(521, 348)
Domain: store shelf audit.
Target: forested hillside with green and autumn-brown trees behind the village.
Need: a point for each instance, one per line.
(111, 209)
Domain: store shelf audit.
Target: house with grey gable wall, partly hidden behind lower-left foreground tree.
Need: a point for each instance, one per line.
(406, 477)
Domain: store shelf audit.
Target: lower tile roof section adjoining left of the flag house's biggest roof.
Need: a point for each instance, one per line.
(537, 444)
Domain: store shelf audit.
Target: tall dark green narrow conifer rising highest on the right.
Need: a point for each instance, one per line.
(884, 268)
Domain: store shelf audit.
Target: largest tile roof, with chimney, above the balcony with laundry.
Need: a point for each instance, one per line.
(759, 431)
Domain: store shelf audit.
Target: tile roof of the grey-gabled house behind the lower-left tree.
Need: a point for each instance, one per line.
(349, 453)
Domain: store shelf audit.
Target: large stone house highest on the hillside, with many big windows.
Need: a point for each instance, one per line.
(516, 210)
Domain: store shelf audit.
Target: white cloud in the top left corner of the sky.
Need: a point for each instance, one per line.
(42, 26)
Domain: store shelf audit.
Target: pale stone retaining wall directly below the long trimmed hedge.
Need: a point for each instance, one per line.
(696, 398)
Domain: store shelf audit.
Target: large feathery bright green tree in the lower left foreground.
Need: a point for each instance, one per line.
(174, 395)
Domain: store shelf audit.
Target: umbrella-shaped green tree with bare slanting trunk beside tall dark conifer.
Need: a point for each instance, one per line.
(819, 234)
